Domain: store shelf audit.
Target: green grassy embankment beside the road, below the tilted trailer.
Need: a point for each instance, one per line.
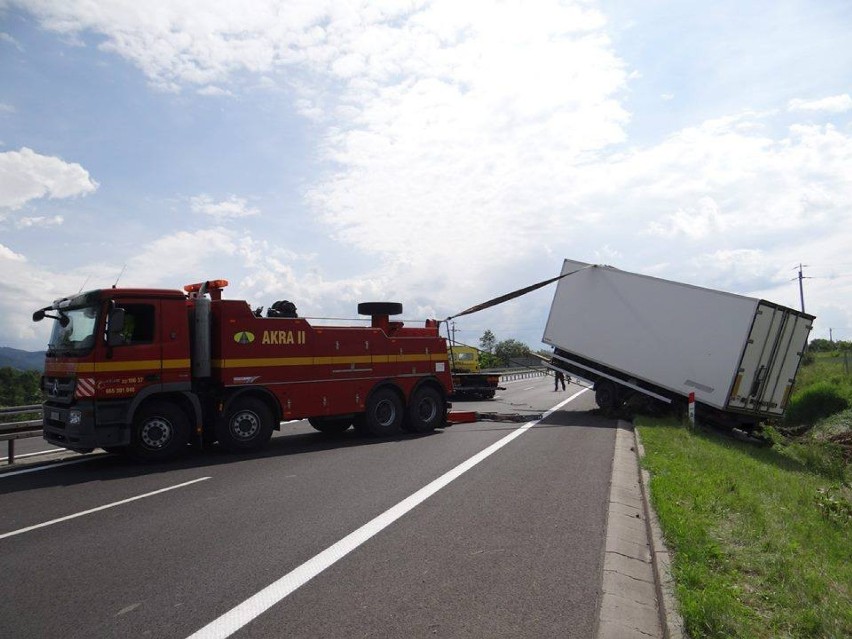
(762, 536)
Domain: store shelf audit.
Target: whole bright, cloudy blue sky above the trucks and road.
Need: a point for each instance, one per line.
(434, 153)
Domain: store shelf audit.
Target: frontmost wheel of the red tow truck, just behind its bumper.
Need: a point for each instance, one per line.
(161, 431)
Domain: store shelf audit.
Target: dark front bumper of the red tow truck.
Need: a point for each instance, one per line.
(77, 428)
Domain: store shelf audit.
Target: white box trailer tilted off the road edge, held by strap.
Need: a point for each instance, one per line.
(636, 337)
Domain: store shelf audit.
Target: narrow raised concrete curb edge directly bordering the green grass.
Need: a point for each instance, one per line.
(670, 619)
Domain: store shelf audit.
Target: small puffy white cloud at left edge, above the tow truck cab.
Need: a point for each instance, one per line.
(25, 175)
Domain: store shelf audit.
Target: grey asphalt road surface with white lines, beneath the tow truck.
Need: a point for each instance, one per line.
(323, 537)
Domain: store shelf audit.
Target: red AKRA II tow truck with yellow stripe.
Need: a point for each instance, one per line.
(148, 371)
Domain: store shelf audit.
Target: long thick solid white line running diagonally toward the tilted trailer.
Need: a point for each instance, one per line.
(254, 606)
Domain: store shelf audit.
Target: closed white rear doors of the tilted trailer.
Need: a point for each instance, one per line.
(770, 360)
